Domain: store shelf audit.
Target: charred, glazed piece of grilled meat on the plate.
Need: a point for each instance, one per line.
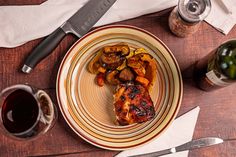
(133, 104)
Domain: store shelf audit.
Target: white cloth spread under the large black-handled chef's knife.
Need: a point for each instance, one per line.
(21, 24)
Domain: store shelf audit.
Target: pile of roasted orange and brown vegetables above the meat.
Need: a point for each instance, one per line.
(121, 64)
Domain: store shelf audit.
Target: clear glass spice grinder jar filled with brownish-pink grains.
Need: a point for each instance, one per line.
(187, 16)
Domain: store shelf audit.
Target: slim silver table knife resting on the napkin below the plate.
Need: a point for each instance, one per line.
(194, 144)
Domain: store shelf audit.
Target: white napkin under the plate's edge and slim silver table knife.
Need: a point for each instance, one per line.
(179, 132)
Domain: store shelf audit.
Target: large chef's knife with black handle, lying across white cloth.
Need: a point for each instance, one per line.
(79, 24)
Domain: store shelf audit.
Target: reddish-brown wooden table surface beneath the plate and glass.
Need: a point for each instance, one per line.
(217, 109)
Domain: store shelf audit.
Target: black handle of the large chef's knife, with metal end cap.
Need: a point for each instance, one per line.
(43, 50)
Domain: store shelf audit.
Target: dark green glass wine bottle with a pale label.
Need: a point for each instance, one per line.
(218, 69)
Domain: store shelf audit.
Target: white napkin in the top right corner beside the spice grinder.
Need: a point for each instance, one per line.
(222, 15)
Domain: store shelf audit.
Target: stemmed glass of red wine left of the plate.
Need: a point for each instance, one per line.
(26, 112)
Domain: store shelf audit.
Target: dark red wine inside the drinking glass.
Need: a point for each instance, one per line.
(19, 112)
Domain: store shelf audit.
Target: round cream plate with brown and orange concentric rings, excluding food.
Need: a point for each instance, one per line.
(88, 108)
